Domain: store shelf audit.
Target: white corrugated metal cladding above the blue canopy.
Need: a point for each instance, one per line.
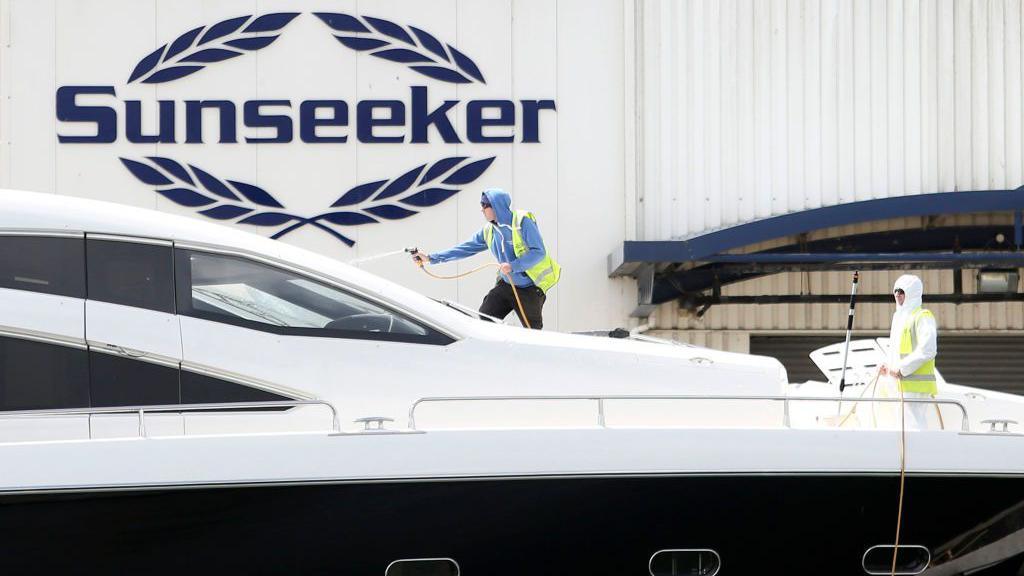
(752, 109)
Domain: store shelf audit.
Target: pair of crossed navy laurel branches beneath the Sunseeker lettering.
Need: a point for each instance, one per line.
(368, 203)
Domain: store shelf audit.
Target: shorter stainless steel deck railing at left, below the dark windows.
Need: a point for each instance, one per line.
(177, 408)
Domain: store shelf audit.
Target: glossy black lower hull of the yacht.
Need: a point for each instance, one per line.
(762, 524)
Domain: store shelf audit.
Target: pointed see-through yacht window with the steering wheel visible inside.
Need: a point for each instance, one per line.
(237, 291)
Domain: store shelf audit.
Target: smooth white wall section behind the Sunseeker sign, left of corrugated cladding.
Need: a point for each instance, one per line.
(578, 53)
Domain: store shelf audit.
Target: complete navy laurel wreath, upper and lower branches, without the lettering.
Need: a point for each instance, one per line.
(243, 203)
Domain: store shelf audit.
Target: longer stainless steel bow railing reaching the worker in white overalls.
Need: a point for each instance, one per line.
(600, 401)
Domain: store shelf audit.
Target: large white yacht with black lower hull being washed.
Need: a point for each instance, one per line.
(183, 398)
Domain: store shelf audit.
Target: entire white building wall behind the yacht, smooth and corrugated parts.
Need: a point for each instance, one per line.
(674, 118)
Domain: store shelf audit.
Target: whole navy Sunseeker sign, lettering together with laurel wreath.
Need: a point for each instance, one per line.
(408, 119)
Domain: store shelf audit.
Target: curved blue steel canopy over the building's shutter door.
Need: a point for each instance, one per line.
(930, 249)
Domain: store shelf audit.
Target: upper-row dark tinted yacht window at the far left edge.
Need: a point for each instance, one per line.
(51, 266)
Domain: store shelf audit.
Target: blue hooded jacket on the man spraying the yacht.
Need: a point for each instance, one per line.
(503, 252)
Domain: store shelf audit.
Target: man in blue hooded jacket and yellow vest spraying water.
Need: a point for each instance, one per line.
(515, 239)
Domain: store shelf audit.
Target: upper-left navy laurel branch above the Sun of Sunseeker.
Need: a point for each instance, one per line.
(220, 43)
